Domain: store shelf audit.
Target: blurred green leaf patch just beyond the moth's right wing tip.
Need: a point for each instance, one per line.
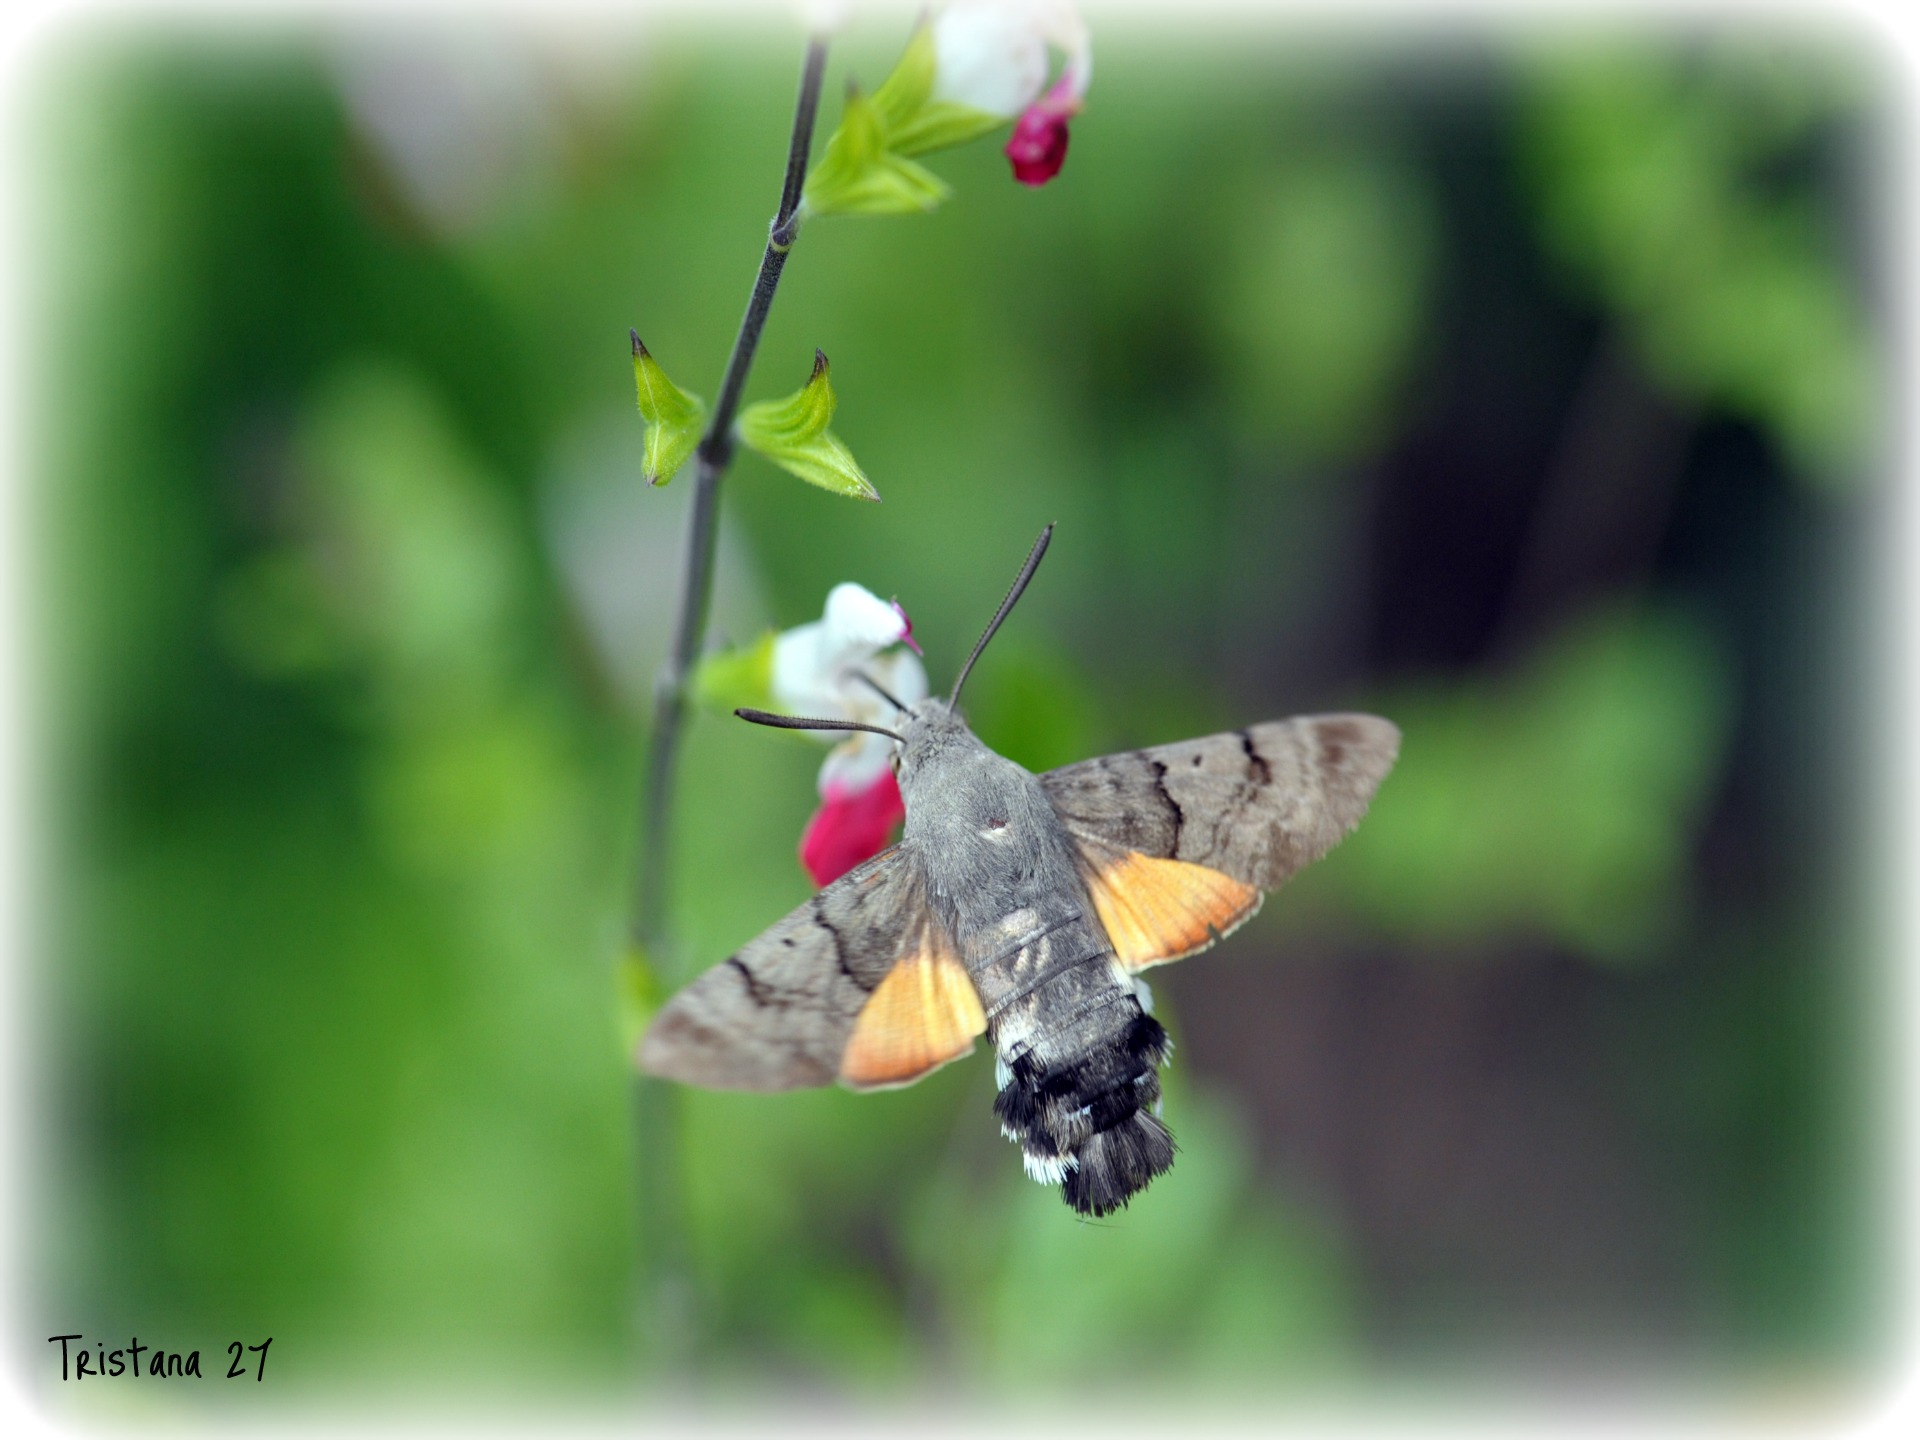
(1556, 802)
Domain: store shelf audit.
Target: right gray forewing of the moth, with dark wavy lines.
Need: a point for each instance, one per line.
(1253, 804)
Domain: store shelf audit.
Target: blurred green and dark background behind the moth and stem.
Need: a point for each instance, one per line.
(1522, 389)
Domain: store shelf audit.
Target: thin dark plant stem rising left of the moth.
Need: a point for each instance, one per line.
(709, 464)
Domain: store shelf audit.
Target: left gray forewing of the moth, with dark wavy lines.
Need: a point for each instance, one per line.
(777, 1015)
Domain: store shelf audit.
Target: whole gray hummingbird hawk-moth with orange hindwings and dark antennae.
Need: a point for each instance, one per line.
(1024, 907)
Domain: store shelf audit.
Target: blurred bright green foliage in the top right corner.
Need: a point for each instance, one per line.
(1671, 181)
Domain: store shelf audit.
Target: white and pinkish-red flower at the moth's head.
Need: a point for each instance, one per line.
(817, 673)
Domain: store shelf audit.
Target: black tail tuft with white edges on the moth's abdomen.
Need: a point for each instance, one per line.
(1093, 1116)
